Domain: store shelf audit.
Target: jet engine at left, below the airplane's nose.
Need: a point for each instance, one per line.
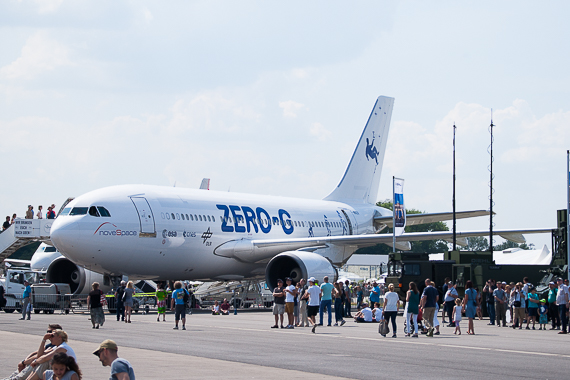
(61, 270)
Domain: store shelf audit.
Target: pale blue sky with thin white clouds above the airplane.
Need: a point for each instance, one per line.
(271, 98)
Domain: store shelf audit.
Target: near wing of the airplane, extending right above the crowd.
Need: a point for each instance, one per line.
(257, 250)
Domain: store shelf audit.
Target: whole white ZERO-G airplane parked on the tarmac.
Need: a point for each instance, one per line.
(161, 233)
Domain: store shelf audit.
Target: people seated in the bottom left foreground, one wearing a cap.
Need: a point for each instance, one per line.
(56, 360)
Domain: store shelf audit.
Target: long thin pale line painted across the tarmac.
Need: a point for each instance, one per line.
(387, 340)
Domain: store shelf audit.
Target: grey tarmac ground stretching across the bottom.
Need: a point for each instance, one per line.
(244, 346)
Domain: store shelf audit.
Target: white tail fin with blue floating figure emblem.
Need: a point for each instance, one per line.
(362, 177)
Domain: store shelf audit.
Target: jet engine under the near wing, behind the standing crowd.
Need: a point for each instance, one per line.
(298, 265)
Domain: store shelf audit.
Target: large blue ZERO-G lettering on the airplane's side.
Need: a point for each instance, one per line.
(245, 219)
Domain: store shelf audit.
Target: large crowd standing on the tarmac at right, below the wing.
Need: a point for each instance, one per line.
(513, 305)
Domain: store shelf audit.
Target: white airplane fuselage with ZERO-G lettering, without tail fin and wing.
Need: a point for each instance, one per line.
(165, 232)
